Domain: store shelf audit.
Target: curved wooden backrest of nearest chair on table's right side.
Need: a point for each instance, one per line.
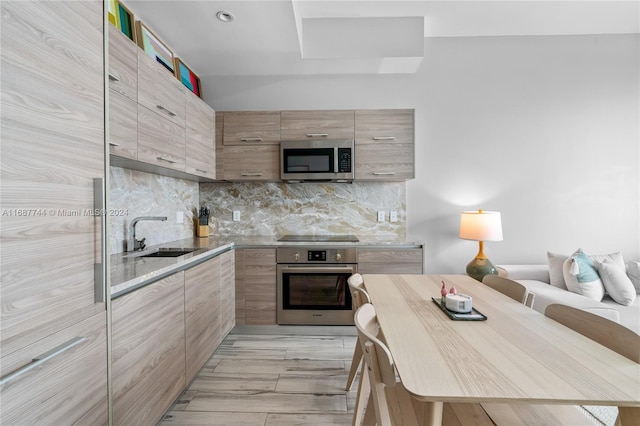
(614, 336)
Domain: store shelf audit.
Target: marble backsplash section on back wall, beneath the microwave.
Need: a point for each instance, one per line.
(306, 208)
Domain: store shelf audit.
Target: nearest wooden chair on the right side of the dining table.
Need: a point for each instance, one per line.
(606, 332)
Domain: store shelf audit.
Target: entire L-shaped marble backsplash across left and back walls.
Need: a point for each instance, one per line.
(273, 209)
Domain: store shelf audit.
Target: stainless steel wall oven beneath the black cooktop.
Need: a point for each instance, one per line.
(312, 285)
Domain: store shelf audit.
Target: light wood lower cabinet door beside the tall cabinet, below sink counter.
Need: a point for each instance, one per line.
(148, 351)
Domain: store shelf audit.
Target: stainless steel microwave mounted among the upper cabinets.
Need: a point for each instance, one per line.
(329, 160)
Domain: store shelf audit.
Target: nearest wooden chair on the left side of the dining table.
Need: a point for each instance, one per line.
(389, 403)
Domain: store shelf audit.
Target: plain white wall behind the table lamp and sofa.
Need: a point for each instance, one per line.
(544, 129)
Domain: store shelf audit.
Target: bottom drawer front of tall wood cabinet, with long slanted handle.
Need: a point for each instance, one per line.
(70, 380)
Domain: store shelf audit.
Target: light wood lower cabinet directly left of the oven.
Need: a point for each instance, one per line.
(256, 286)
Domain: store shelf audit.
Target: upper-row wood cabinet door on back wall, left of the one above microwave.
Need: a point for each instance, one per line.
(251, 127)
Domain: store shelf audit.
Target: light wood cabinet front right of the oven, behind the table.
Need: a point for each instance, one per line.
(390, 261)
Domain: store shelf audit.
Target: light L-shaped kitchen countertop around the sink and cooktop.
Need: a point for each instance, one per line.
(130, 271)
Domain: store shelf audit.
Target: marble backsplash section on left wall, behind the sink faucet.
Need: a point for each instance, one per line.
(145, 194)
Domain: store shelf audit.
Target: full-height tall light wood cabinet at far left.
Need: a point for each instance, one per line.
(53, 324)
